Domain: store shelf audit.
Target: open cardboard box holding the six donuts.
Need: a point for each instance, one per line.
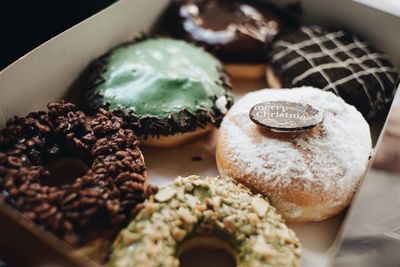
(54, 70)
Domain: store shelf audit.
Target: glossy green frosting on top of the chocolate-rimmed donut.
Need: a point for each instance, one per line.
(160, 76)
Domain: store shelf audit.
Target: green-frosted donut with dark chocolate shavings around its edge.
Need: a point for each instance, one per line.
(168, 91)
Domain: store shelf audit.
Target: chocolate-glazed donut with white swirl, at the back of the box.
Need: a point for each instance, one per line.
(237, 32)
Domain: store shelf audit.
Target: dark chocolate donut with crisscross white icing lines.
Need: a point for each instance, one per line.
(333, 61)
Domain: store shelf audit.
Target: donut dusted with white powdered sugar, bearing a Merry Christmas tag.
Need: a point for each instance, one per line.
(309, 174)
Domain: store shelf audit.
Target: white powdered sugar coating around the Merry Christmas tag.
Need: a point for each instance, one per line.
(331, 157)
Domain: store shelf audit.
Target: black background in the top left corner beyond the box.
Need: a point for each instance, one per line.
(27, 24)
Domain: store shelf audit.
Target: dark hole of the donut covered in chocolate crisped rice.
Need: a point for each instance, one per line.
(64, 171)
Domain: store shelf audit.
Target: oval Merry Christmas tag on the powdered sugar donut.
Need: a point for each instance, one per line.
(285, 116)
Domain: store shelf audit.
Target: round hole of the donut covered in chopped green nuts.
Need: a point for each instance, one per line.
(210, 252)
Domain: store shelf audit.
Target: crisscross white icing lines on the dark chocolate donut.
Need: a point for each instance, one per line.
(339, 47)
